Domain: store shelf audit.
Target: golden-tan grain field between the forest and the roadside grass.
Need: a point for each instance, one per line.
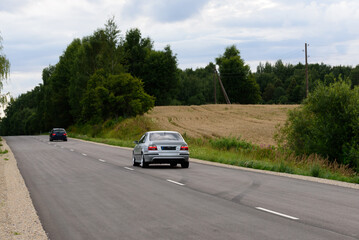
(254, 123)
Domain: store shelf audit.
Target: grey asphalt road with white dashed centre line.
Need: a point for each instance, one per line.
(83, 190)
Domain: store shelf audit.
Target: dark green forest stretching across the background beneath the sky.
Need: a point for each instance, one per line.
(109, 76)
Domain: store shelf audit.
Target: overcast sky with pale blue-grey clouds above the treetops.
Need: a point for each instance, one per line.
(36, 32)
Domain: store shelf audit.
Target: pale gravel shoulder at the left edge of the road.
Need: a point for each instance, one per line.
(18, 217)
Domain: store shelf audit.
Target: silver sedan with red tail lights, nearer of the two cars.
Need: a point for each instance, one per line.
(157, 147)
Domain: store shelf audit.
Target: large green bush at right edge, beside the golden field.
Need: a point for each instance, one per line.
(326, 124)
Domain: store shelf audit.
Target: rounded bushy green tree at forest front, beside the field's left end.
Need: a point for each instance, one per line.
(111, 96)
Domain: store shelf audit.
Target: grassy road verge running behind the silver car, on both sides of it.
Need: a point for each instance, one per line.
(233, 151)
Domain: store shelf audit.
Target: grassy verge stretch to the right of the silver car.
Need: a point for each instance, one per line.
(269, 158)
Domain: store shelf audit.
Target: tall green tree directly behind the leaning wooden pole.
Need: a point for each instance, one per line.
(239, 83)
